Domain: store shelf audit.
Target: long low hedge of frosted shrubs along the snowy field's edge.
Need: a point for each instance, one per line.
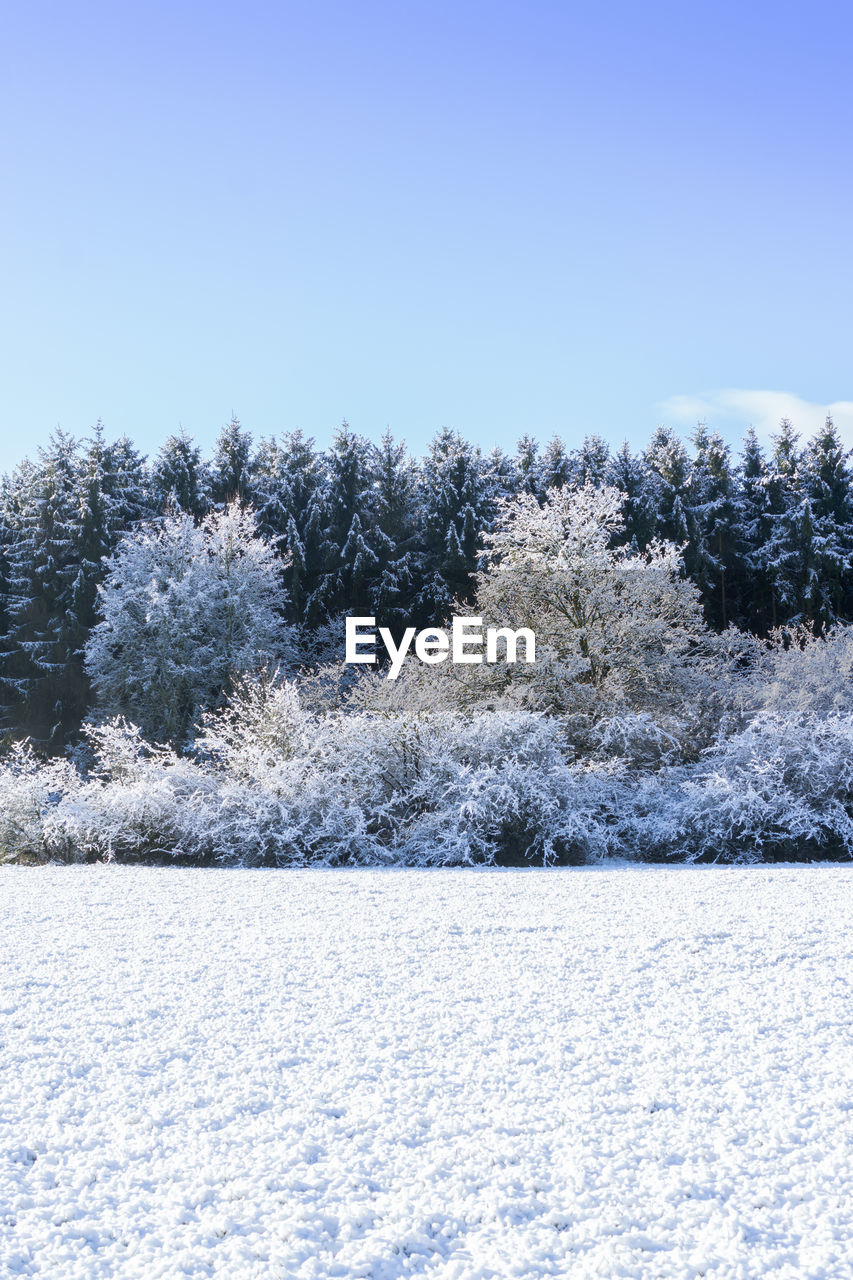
(408, 780)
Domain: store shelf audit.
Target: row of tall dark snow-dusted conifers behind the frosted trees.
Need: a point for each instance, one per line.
(362, 528)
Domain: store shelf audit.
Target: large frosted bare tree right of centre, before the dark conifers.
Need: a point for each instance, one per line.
(612, 627)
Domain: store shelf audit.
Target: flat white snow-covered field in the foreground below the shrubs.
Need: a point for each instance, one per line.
(632, 1072)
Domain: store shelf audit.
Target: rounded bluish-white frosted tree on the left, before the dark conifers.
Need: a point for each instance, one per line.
(185, 607)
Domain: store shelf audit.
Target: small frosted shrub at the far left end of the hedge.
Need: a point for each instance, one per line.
(30, 794)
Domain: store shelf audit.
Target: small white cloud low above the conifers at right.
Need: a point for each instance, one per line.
(733, 410)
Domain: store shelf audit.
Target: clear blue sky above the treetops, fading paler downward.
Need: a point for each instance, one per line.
(503, 218)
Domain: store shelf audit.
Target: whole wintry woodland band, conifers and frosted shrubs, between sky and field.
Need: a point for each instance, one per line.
(172, 630)
